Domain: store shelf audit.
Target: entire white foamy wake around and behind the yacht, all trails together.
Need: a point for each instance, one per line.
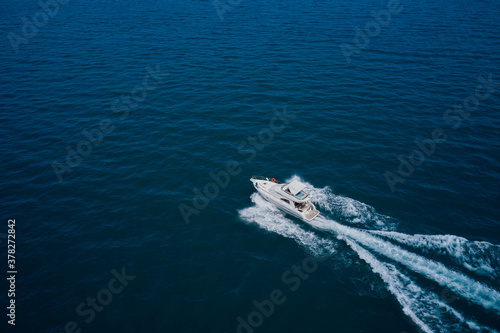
(382, 251)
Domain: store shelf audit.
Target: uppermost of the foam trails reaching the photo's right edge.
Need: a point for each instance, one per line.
(477, 257)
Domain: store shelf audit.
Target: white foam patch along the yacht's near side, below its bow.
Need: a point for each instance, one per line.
(268, 217)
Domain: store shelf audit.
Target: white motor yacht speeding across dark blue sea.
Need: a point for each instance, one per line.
(289, 197)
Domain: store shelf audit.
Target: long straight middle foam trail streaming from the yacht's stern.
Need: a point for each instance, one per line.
(457, 282)
